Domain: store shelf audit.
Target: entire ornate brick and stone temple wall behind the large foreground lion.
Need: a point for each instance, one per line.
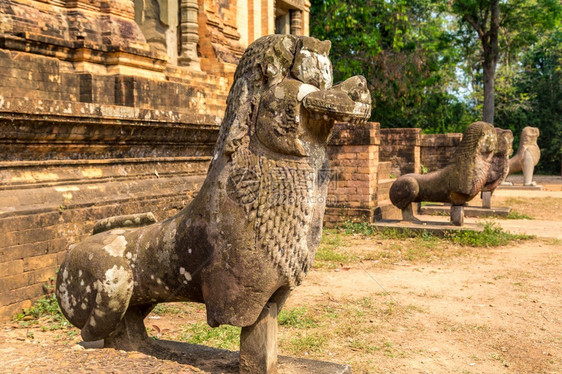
(107, 107)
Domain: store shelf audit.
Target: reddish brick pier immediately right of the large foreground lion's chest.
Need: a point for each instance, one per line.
(354, 154)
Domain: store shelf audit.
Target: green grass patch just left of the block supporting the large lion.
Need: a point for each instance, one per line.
(225, 337)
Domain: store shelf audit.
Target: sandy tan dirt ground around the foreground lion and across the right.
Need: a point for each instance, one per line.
(467, 310)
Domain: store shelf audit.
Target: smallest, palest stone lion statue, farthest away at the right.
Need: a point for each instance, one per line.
(527, 156)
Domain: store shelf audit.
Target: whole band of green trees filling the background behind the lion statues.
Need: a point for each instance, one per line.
(429, 63)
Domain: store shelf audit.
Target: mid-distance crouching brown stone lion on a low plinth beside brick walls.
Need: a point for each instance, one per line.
(458, 182)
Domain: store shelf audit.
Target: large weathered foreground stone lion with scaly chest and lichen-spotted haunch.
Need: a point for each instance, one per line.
(252, 232)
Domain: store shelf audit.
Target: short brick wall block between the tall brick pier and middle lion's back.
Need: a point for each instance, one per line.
(402, 148)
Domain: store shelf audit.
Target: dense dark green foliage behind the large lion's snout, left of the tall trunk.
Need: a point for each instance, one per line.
(404, 51)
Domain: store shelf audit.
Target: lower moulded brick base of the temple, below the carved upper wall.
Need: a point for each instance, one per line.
(78, 147)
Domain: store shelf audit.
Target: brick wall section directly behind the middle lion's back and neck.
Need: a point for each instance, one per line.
(437, 149)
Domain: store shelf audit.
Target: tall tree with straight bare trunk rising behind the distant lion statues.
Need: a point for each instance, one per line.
(502, 27)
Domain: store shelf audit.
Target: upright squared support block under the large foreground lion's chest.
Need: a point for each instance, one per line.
(258, 344)
